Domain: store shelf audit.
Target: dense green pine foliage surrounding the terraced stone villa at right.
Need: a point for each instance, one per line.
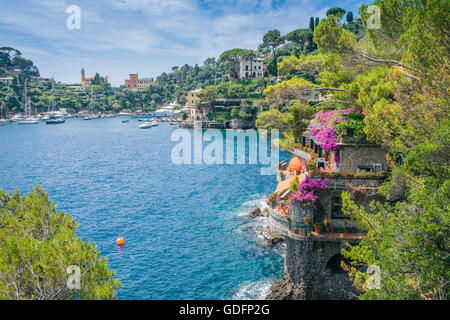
(398, 77)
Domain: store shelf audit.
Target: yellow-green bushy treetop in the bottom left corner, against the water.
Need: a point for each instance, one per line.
(38, 244)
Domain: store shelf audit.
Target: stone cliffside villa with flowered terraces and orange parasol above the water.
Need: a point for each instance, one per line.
(306, 209)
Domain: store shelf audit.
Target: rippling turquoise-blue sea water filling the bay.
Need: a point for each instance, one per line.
(186, 232)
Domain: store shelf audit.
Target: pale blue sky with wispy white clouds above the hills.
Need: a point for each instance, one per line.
(118, 37)
